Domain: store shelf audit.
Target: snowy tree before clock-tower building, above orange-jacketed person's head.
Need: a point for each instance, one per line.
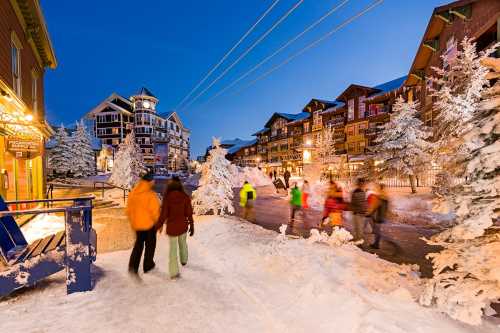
(128, 164)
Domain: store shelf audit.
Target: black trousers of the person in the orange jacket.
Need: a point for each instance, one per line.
(143, 238)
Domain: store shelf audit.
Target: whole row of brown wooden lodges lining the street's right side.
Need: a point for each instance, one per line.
(358, 111)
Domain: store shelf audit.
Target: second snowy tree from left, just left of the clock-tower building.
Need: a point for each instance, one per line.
(84, 162)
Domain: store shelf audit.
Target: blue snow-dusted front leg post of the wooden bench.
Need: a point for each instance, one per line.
(80, 246)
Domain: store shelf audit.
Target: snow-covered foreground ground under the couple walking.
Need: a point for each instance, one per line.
(239, 278)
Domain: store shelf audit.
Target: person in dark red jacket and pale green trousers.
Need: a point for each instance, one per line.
(177, 213)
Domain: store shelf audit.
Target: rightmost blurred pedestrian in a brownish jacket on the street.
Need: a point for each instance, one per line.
(377, 209)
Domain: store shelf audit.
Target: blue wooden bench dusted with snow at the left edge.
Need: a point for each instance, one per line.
(73, 249)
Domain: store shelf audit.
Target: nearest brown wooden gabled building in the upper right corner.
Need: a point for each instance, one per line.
(447, 27)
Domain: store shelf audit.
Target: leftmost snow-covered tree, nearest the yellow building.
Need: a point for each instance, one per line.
(61, 156)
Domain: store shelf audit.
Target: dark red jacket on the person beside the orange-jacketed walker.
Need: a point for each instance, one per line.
(177, 211)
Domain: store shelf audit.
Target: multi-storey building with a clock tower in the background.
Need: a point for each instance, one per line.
(163, 139)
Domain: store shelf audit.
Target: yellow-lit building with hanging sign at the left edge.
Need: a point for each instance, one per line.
(25, 53)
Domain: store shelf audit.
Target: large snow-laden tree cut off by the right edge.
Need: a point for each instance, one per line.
(466, 273)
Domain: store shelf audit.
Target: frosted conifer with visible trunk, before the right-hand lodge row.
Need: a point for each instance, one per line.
(402, 145)
